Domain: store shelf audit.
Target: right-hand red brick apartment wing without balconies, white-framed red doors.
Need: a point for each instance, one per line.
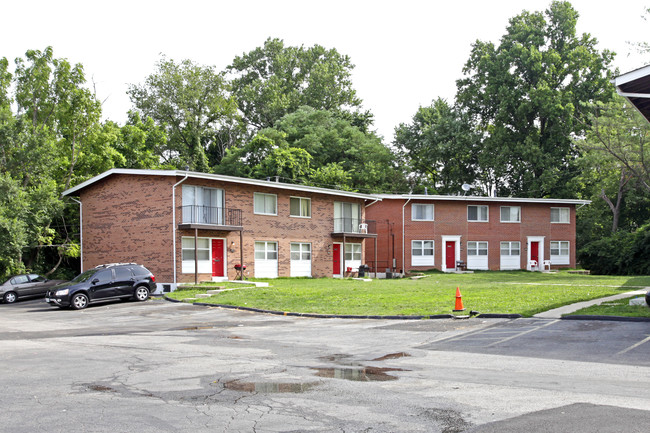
(420, 232)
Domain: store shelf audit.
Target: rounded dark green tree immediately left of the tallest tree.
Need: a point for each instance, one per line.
(440, 146)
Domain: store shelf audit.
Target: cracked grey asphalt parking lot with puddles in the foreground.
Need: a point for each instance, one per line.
(164, 367)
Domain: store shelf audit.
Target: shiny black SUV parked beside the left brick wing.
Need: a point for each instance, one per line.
(104, 283)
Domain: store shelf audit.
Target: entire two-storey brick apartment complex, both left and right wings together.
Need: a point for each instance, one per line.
(187, 227)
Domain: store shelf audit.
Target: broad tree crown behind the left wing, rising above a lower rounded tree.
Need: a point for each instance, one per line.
(273, 80)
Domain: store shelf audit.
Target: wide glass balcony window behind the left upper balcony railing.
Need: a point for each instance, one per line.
(202, 205)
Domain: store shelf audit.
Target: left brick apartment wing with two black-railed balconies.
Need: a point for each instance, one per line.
(187, 226)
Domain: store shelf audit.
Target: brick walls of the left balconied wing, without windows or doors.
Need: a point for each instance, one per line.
(127, 218)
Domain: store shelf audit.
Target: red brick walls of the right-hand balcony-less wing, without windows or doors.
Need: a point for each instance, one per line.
(450, 219)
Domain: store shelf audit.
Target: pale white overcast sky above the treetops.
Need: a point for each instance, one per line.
(406, 52)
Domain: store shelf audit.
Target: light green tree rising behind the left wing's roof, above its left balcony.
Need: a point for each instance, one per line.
(192, 104)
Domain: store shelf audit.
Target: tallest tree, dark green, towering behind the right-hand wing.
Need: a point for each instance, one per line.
(526, 97)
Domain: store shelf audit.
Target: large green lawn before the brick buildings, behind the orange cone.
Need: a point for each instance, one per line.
(520, 292)
